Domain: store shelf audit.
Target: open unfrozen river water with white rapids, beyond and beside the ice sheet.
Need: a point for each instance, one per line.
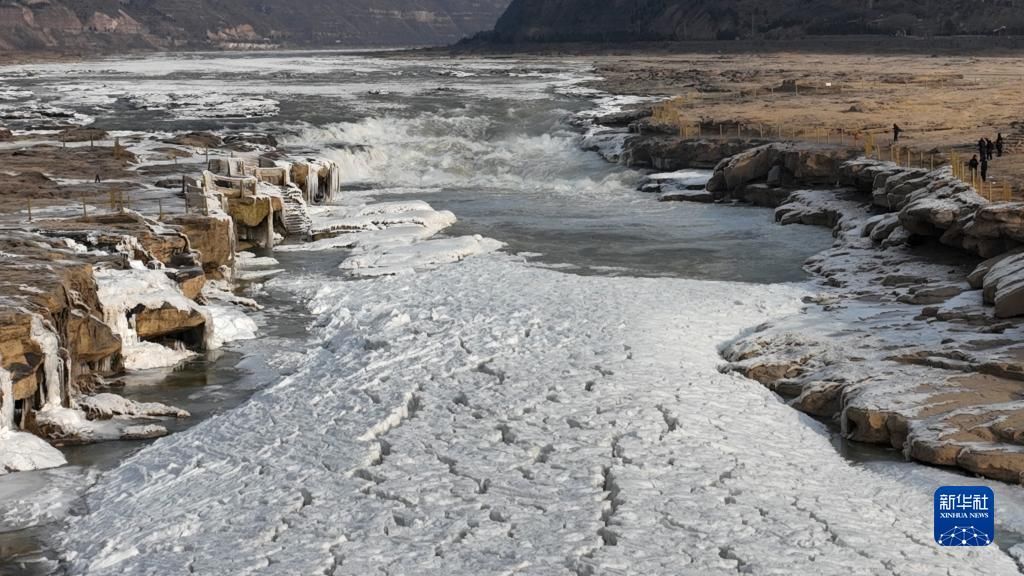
(497, 142)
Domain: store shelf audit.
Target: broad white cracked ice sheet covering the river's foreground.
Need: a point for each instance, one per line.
(490, 418)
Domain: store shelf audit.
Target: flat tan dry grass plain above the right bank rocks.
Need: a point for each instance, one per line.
(944, 103)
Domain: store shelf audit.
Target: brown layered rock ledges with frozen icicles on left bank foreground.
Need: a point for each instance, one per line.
(82, 300)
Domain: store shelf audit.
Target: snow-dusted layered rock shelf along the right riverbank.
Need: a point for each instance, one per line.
(916, 343)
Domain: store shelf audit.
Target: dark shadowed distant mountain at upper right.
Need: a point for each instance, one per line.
(610, 21)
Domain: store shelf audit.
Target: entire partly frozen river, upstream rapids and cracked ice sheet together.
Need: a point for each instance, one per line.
(554, 408)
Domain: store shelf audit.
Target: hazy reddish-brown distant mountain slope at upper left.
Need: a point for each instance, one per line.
(112, 25)
